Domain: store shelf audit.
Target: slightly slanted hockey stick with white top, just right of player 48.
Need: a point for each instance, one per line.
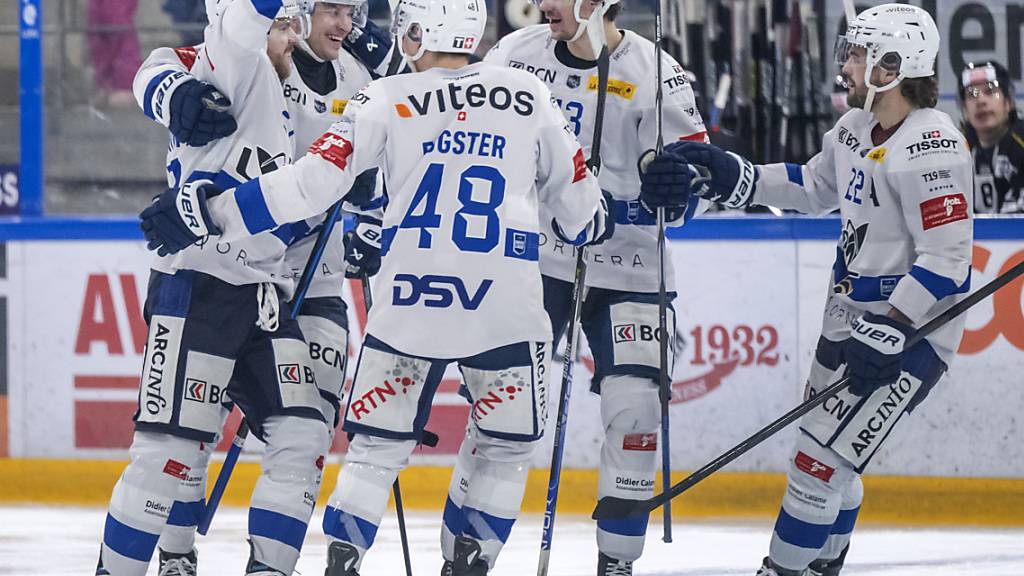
(600, 46)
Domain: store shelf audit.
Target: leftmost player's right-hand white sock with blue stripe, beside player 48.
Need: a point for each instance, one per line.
(286, 492)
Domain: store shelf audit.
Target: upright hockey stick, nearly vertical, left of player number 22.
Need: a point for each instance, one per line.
(663, 296)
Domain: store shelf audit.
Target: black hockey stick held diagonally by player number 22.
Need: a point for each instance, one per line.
(610, 508)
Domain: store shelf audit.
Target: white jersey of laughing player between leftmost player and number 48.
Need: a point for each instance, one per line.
(314, 114)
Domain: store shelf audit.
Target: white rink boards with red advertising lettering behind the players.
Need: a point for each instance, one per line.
(749, 314)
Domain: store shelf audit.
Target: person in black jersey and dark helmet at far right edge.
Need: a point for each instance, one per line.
(996, 137)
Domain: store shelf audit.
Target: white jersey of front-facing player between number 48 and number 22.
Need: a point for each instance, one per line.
(628, 261)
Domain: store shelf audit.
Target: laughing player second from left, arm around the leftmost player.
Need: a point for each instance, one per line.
(321, 80)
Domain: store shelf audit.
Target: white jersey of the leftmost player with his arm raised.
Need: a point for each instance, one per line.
(233, 59)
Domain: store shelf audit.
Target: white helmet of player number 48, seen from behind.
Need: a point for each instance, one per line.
(446, 26)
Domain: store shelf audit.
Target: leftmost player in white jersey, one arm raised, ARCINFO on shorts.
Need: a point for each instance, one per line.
(219, 333)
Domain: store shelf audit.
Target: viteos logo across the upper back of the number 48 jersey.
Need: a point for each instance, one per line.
(457, 97)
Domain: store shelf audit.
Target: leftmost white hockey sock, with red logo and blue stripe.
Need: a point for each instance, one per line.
(143, 500)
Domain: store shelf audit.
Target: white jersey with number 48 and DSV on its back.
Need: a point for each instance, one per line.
(468, 155)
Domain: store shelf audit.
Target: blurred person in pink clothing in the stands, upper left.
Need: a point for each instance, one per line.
(114, 51)
